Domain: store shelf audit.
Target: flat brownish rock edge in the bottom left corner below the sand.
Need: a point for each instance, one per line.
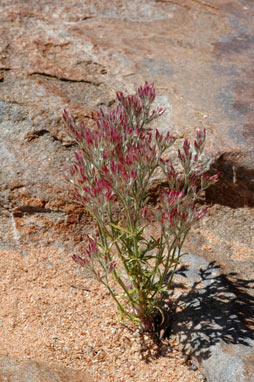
(12, 370)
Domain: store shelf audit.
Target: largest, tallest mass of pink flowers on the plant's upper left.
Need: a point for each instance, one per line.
(115, 158)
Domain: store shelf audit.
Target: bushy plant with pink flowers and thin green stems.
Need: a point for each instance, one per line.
(111, 176)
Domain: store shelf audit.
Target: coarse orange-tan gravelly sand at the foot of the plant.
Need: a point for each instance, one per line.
(49, 312)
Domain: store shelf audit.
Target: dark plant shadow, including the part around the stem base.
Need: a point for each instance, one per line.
(213, 308)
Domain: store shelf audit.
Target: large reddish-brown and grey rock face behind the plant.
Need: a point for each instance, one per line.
(76, 55)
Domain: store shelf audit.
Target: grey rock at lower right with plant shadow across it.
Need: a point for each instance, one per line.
(215, 324)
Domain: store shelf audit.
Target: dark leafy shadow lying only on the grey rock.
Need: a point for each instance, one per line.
(216, 308)
